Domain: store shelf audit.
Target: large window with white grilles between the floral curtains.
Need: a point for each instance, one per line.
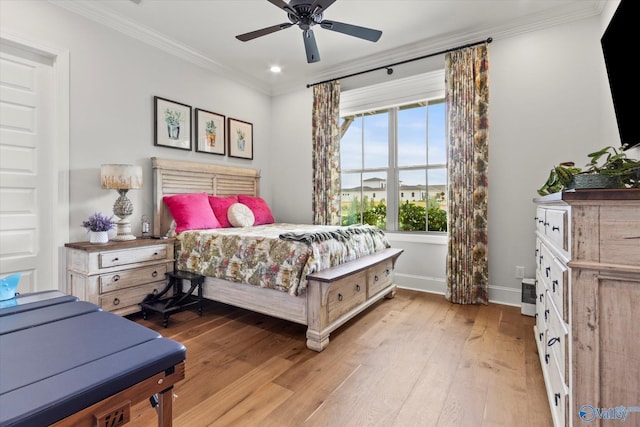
(394, 164)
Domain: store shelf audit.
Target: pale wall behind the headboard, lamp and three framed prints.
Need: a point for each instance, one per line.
(113, 81)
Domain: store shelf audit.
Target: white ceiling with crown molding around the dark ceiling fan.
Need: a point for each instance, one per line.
(203, 31)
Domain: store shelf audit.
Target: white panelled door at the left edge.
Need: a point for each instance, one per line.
(28, 193)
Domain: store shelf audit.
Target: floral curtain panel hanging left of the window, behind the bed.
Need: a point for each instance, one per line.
(326, 153)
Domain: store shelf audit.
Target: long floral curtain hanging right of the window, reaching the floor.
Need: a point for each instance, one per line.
(467, 102)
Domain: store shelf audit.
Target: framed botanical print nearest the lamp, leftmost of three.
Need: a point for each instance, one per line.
(172, 124)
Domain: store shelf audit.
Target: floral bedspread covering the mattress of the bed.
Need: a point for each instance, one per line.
(258, 256)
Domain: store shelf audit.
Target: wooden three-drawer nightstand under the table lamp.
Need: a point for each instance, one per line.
(117, 276)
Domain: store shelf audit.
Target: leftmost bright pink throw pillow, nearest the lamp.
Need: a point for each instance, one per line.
(191, 211)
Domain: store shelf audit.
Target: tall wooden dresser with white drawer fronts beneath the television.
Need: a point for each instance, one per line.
(588, 305)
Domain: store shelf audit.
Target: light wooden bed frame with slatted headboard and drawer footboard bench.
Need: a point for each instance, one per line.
(330, 297)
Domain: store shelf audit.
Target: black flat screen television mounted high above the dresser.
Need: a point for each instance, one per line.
(619, 47)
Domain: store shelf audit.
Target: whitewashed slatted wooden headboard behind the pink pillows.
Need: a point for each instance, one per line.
(180, 177)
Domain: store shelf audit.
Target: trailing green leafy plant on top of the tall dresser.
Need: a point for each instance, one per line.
(607, 168)
